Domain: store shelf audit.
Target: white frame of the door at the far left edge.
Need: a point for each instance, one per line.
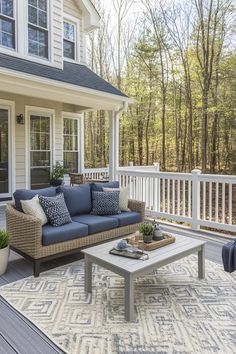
(10, 107)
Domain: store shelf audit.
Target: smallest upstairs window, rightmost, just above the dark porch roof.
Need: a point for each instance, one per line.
(69, 40)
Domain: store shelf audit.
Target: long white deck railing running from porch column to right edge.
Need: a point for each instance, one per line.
(195, 198)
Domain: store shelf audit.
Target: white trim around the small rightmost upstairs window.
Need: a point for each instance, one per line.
(76, 22)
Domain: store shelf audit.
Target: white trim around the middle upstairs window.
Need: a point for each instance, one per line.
(49, 31)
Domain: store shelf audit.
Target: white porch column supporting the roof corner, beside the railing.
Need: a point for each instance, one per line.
(113, 144)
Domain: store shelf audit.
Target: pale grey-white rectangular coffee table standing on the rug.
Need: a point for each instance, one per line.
(130, 269)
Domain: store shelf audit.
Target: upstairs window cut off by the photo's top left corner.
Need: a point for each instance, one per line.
(7, 24)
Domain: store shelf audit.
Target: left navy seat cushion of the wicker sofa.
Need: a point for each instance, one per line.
(63, 233)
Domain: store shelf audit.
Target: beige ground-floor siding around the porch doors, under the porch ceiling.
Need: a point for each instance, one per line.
(20, 131)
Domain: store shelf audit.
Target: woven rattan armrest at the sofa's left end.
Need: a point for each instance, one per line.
(25, 231)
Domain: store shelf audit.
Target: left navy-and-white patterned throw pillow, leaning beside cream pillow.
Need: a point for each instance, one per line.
(55, 209)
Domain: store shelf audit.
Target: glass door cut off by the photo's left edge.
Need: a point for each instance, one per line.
(4, 154)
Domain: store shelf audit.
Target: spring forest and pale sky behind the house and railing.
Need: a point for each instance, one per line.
(177, 60)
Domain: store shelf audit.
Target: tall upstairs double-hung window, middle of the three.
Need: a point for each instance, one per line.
(38, 28)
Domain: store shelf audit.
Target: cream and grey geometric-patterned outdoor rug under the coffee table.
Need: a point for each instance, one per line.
(175, 311)
